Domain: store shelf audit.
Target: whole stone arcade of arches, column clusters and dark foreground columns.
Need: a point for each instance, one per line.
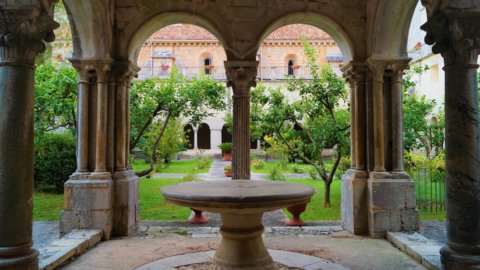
(378, 196)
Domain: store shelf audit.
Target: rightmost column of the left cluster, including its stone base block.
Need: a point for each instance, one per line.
(125, 182)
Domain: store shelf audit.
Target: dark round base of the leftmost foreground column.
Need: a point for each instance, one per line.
(9, 260)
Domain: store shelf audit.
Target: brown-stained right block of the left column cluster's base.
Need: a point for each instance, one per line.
(125, 203)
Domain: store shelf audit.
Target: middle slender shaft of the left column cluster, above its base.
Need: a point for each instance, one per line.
(102, 119)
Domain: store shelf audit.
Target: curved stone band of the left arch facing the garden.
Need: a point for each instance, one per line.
(157, 22)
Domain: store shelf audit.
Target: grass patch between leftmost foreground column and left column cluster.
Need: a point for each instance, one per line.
(47, 206)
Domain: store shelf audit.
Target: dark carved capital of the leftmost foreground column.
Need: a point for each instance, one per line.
(24, 31)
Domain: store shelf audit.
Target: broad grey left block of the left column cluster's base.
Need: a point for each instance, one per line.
(87, 205)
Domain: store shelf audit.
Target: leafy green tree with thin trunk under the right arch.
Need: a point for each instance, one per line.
(323, 123)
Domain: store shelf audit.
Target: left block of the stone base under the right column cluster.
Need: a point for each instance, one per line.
(354, 202)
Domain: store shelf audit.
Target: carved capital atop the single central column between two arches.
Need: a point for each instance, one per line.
(241, 76)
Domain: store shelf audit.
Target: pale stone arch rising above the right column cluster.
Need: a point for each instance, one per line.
(389, 32)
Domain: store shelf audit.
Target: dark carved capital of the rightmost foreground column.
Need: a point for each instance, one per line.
(455, 35)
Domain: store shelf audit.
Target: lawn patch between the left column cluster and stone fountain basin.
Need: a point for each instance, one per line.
(153, 205)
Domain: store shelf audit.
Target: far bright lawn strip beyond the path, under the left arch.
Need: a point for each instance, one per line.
(176, 166)
